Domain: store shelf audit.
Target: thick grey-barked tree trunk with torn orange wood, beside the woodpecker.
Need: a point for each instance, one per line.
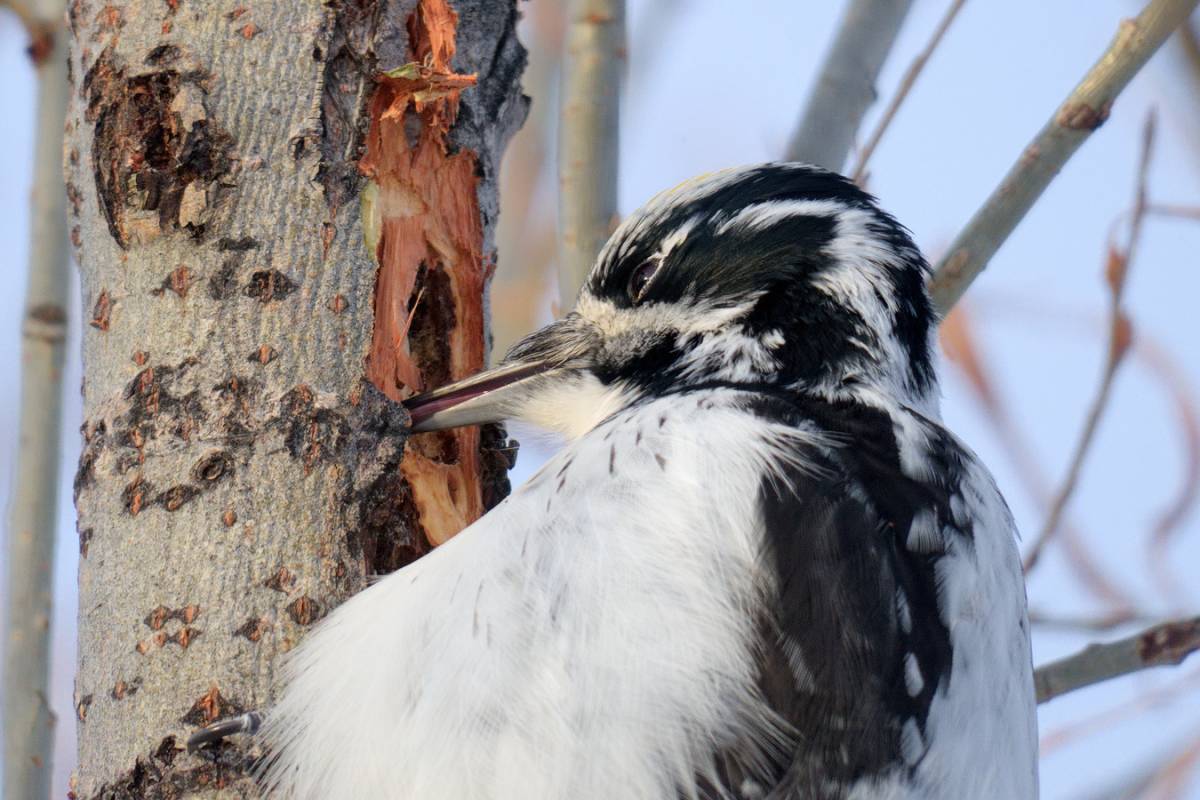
(284, 216)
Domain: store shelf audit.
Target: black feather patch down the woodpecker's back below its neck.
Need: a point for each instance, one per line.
(833, 648)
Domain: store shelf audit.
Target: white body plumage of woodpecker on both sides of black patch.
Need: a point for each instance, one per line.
(591, 637)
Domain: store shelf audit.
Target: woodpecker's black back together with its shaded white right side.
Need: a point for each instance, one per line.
(856, 641)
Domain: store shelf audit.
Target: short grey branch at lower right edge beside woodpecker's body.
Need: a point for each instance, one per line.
(1162, 646)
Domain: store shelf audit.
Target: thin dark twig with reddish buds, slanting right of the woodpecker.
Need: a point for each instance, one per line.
(1120, 338)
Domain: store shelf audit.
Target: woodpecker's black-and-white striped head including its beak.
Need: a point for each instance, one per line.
(777, 278)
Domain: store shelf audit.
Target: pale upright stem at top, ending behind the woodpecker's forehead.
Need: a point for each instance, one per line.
(589, 137)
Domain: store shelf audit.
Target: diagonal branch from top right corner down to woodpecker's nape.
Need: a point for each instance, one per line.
(1085, 110)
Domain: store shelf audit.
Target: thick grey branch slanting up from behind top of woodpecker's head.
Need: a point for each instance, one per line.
(845, 88)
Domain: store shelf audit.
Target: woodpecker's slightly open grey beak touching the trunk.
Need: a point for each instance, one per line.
(500, 394)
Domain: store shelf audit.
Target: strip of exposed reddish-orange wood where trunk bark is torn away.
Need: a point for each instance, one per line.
(423, 221)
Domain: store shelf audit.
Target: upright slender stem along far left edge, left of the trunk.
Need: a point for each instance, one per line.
(33, 522)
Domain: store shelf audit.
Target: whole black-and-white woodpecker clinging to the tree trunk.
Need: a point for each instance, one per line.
(760, 568)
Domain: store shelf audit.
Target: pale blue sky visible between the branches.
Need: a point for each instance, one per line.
(724, 89)
